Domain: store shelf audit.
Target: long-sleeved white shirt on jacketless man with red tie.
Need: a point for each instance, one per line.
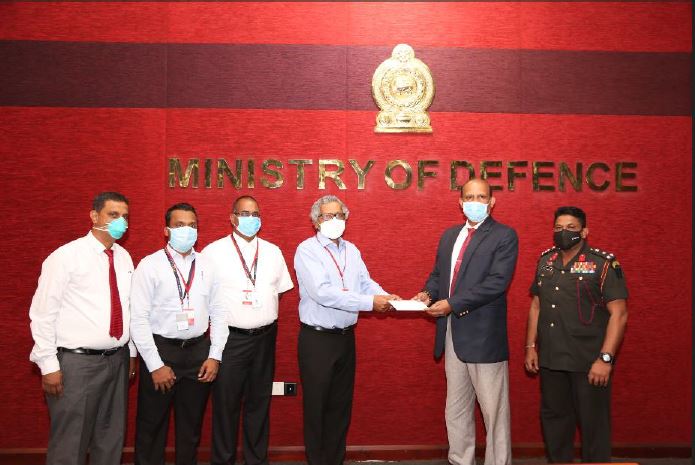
(72, 304)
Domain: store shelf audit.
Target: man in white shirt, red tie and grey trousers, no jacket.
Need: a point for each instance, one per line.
(80, 325)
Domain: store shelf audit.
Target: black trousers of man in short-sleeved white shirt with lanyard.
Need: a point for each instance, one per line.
(246, 375)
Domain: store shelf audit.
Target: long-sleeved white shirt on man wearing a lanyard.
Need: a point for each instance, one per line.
(155, 304)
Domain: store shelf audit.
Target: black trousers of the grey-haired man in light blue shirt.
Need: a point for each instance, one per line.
(327, 371)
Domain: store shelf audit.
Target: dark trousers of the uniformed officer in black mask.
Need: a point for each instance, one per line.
(567, 399)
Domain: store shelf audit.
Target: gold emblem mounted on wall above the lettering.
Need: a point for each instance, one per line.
(403, 89)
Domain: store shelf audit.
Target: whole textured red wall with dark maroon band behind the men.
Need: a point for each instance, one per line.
(99, 96)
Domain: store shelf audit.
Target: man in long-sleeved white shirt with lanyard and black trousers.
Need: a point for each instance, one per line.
(170, 306)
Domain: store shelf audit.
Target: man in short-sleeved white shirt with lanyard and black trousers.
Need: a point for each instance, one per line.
(251, 274)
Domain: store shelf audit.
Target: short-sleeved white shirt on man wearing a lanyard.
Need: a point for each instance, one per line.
(272, 278)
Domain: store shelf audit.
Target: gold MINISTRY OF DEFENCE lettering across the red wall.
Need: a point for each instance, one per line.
(545, 176)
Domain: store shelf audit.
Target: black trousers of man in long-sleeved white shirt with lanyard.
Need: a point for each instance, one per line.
(188, 396)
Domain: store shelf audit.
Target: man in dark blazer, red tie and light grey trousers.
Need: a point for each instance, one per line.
(467, 293)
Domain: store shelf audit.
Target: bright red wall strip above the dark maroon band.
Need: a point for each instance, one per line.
(638, 26)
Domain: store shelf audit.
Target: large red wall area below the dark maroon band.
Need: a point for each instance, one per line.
(81, 151)
